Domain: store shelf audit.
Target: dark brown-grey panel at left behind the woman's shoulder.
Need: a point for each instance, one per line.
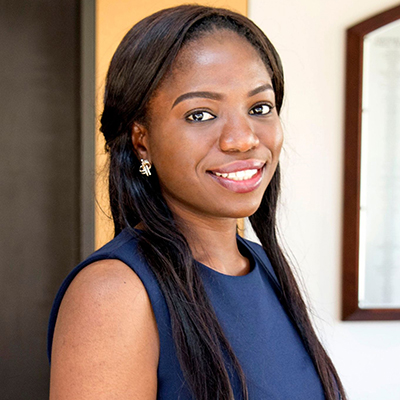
(39, 180)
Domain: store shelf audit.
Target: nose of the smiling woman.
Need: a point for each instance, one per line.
(237, 135)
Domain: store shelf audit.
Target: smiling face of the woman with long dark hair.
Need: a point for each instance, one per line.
(214, 135)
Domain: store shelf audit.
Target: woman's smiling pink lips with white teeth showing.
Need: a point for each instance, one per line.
(240, 176)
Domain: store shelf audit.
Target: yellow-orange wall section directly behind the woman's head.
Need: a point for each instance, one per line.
(113, 20)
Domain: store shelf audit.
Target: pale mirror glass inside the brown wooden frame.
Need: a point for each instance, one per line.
(379, 248)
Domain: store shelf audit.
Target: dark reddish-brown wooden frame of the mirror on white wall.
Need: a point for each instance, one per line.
(352, 170)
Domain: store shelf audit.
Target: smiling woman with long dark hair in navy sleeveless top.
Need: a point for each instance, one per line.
(177, 306)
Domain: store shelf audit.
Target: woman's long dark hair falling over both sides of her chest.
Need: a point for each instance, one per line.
(143, 59)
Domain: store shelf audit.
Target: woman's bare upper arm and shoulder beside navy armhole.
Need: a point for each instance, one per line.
(106, 343)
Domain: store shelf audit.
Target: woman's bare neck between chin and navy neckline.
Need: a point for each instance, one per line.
(213, 242)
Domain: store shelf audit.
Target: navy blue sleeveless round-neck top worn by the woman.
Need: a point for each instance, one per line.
(268, 347)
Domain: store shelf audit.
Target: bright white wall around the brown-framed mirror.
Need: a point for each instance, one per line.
(310, 37)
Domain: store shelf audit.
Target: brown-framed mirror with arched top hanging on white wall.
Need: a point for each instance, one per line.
(371, 226)
